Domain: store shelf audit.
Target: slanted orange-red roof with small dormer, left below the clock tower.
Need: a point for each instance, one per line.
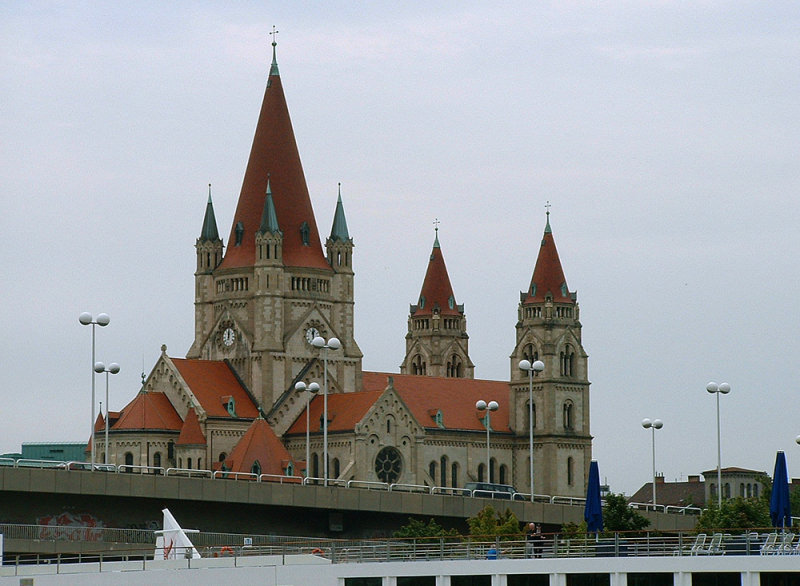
(210, 381)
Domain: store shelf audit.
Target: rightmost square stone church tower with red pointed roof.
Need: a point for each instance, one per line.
(548, 329)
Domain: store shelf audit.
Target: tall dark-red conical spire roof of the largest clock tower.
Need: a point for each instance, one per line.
(274, 155)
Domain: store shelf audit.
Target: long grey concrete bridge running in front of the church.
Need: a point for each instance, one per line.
(68, 497)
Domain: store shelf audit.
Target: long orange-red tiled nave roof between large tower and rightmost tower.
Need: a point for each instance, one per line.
(423, 395)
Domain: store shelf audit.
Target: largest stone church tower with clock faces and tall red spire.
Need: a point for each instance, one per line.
(259, 305)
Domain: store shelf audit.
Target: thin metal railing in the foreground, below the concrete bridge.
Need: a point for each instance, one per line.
(213, 545)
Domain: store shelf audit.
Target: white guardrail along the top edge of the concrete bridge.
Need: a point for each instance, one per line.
(75, 466)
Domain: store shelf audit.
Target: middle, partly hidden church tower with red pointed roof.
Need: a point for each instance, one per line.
(437, 343)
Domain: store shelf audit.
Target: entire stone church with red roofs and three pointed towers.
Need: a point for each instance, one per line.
(274, 313)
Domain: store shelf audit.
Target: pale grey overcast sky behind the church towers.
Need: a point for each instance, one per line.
(664, 135)
